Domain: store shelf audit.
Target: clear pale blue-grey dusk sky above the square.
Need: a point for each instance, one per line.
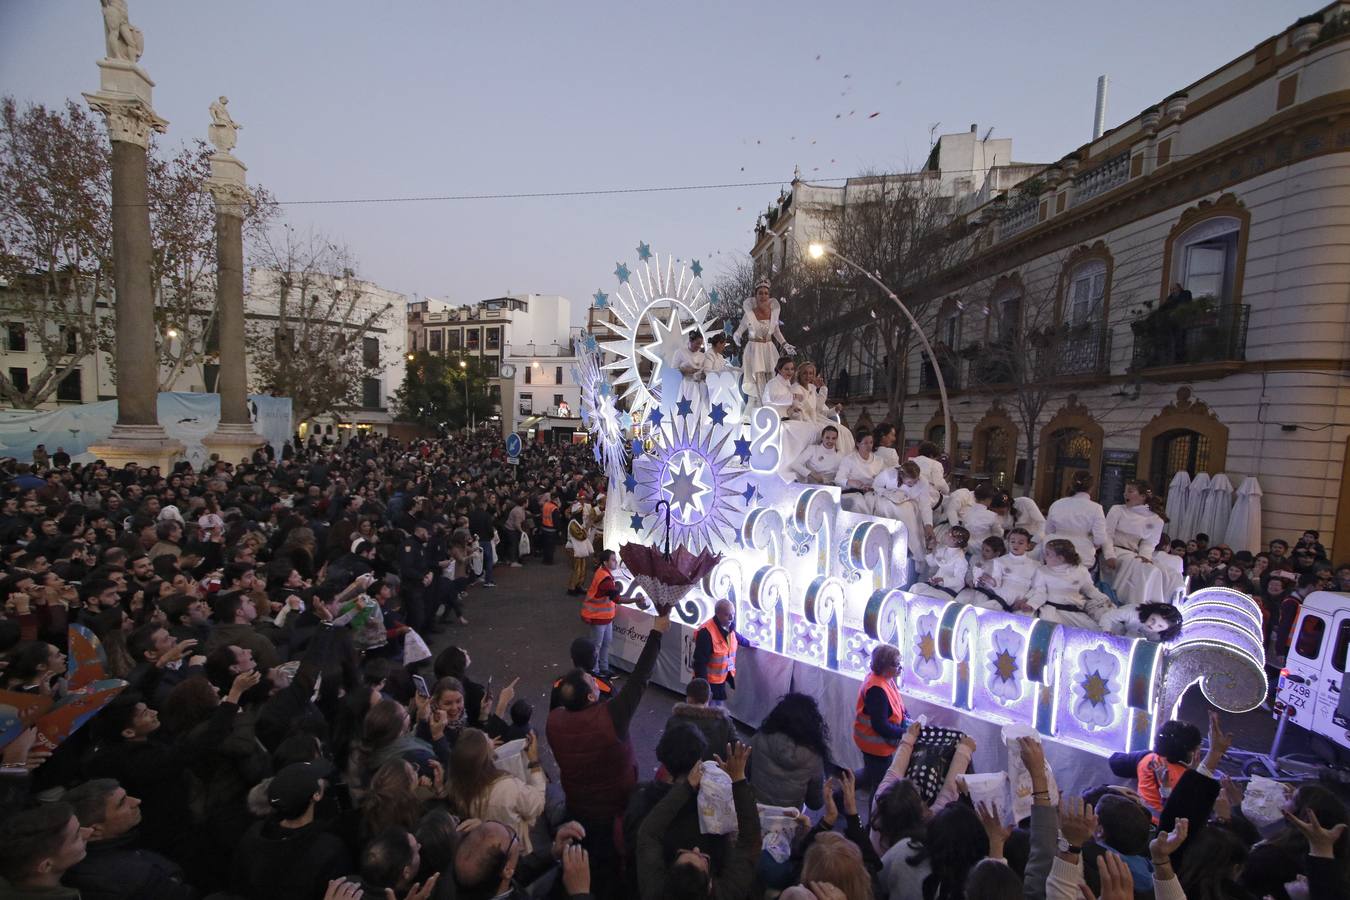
(346, 101)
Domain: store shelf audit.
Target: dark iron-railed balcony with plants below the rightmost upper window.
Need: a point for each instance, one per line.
(1204, 335)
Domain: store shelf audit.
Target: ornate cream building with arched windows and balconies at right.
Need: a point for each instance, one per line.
(1237, 191)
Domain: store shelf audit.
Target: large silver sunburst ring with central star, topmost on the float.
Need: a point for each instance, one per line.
(657, 306)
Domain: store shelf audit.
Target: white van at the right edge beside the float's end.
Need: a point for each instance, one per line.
(1314, 683)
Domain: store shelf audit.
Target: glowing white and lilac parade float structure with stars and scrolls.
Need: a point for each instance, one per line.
(824, 586)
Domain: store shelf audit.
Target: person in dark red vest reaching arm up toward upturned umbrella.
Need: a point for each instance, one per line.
(595, 754)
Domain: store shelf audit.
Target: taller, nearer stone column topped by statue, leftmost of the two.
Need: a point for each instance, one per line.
(125, 102)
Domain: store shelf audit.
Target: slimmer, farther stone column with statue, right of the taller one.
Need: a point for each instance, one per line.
(234, 438)
